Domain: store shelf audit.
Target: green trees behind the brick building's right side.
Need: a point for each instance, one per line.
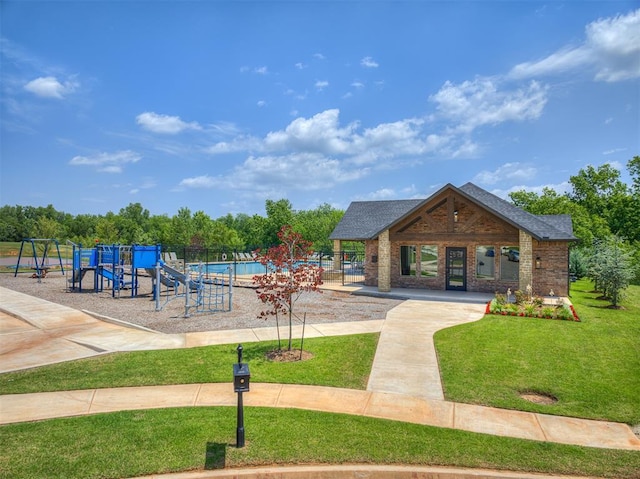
(606, 219)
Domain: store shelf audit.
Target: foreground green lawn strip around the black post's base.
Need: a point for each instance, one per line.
(134, 443)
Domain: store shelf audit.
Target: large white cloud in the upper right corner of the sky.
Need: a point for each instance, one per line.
(611, 48)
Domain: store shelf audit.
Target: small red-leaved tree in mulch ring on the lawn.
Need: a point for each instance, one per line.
(288, 275)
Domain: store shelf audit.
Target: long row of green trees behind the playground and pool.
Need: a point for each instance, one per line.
(134, 224)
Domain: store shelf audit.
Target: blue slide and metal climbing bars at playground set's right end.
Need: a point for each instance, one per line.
(202, 292)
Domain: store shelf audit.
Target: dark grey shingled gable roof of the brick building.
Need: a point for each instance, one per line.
(365, 220)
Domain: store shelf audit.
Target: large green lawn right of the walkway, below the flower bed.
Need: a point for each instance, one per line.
(592, 367)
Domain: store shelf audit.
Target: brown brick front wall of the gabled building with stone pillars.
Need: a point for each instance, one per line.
(436, 224)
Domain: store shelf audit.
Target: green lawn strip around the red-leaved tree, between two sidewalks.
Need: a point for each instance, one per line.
(339, 361)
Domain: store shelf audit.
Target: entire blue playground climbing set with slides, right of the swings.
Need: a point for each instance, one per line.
(119, 266)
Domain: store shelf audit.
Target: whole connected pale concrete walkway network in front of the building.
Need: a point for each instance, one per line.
(35, 330)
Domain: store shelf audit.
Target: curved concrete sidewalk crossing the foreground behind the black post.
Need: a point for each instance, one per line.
(397, 407)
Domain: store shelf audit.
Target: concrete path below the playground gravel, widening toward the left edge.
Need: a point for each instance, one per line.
(35, 332)
